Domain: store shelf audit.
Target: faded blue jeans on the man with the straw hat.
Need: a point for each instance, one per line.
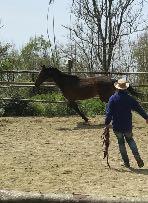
(121, 137)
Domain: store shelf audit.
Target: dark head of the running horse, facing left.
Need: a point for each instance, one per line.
(44, 75)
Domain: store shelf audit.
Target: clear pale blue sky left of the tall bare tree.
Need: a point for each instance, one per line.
(23, 19)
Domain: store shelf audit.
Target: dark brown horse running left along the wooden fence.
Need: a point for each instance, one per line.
(75, 88)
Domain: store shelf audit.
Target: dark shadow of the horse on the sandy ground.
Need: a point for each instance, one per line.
(82, 125)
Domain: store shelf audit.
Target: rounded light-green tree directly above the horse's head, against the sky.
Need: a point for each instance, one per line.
(38, 51)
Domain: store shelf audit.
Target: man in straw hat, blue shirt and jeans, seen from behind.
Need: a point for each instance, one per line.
(118, 111)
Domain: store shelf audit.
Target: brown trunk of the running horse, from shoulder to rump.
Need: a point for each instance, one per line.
(88, 88)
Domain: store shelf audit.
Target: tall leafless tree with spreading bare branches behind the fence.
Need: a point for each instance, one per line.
(101, 24)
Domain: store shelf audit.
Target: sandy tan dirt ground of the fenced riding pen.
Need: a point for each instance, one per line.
(62, 155)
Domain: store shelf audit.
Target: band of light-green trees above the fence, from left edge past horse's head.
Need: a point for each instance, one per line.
(36, 52)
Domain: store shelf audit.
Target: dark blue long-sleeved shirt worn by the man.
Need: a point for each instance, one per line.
(119, 112)
